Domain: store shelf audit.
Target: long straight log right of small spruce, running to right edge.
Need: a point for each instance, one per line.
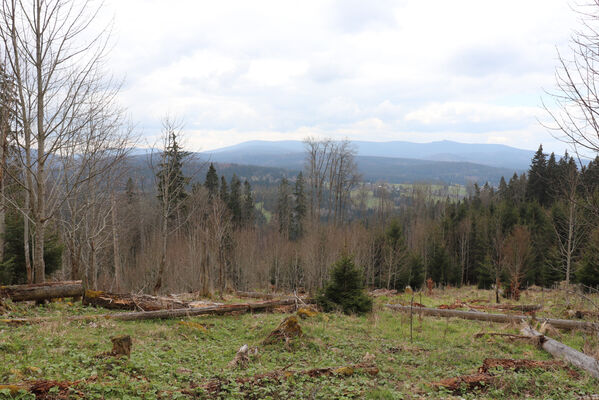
(502, 318)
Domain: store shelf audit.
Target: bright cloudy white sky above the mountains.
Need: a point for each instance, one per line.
(465, 70)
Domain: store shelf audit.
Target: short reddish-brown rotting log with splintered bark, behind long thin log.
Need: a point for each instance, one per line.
(140, 302)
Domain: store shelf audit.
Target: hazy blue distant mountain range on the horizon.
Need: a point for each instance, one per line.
(394, 162)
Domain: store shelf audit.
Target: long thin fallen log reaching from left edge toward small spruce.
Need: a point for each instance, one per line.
(164, 314)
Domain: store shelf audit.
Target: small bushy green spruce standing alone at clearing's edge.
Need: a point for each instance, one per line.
(345, 289)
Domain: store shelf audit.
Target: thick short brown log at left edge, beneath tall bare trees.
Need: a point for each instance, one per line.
(42, 291)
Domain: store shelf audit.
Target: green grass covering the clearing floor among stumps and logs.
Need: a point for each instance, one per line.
(174, 360)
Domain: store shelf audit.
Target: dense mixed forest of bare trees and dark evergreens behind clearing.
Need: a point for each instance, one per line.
(198, 230)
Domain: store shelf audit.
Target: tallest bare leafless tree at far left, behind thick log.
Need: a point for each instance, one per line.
(60, 88)
